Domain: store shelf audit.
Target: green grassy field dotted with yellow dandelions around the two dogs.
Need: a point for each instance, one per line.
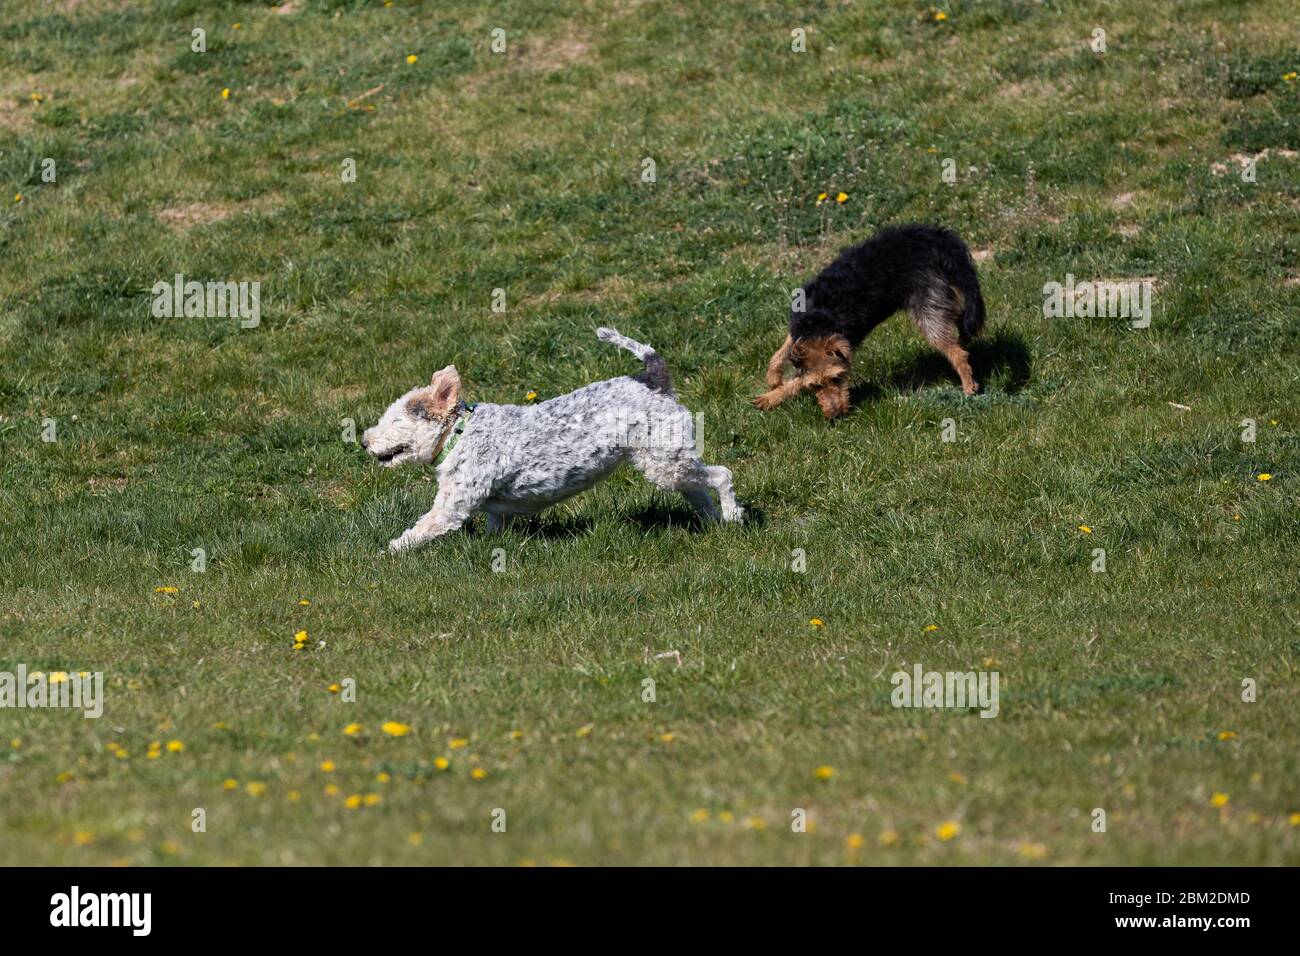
(523, 690)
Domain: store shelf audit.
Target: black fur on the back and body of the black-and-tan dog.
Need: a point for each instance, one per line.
(896, 269)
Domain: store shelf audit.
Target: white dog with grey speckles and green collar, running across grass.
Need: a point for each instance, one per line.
(519, 460)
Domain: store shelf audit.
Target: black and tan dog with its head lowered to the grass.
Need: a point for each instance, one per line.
(925, 270)
